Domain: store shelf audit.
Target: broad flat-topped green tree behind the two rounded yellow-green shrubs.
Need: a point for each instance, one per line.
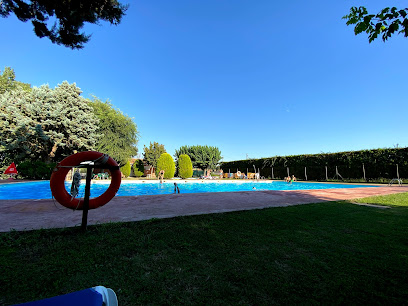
(203, 157)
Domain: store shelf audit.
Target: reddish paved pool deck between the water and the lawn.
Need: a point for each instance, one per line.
(36, 214)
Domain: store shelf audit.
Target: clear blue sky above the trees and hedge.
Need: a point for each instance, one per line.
(258, 78)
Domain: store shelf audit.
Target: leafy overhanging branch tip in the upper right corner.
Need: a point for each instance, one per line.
(385, 23)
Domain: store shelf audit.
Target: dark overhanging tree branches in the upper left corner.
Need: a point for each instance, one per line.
(61, 21)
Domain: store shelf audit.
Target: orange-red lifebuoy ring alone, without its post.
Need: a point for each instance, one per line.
(60, 172)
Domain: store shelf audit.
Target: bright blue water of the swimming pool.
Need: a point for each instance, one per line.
(41, 190)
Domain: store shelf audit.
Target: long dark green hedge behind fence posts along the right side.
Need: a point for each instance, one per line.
(378, 163)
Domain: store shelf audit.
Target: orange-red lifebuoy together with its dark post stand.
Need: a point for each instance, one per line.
(89, 160)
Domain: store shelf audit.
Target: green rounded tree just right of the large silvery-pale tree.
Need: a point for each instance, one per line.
(119, 132)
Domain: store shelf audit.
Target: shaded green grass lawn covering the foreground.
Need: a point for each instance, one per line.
(329, 253)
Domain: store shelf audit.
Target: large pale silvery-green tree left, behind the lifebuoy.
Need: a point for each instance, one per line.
(46, 124)
